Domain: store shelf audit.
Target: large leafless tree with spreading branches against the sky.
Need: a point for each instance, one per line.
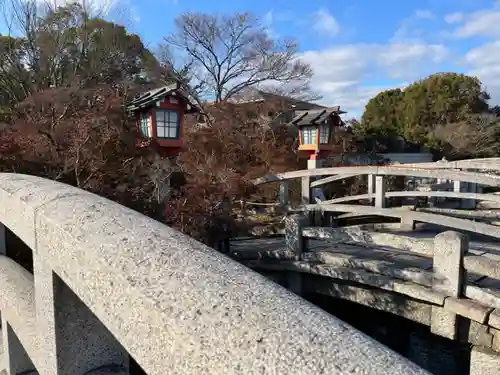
(227, 54)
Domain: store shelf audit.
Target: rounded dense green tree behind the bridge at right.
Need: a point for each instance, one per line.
(415, 112)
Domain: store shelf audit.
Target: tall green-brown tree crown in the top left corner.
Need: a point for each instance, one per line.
(66, 47)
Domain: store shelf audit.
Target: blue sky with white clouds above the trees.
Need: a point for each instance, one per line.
(358, 48)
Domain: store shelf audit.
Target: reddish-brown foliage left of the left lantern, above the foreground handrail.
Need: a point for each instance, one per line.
(81, 137)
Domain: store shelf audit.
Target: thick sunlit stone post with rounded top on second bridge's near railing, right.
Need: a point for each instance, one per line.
(449, 279)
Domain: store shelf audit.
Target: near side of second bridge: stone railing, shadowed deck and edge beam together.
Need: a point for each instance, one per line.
(438, 282)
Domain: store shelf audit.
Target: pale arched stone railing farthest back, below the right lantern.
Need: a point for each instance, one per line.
(461, 180)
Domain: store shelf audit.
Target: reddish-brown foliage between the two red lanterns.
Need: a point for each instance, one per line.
(238, 143)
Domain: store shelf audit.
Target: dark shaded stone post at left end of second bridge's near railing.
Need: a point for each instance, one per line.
(296, 244)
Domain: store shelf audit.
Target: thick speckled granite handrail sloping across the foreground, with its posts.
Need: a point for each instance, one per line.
(109, 282)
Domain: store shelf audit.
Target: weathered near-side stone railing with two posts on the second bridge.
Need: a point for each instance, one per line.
(445, 286)
